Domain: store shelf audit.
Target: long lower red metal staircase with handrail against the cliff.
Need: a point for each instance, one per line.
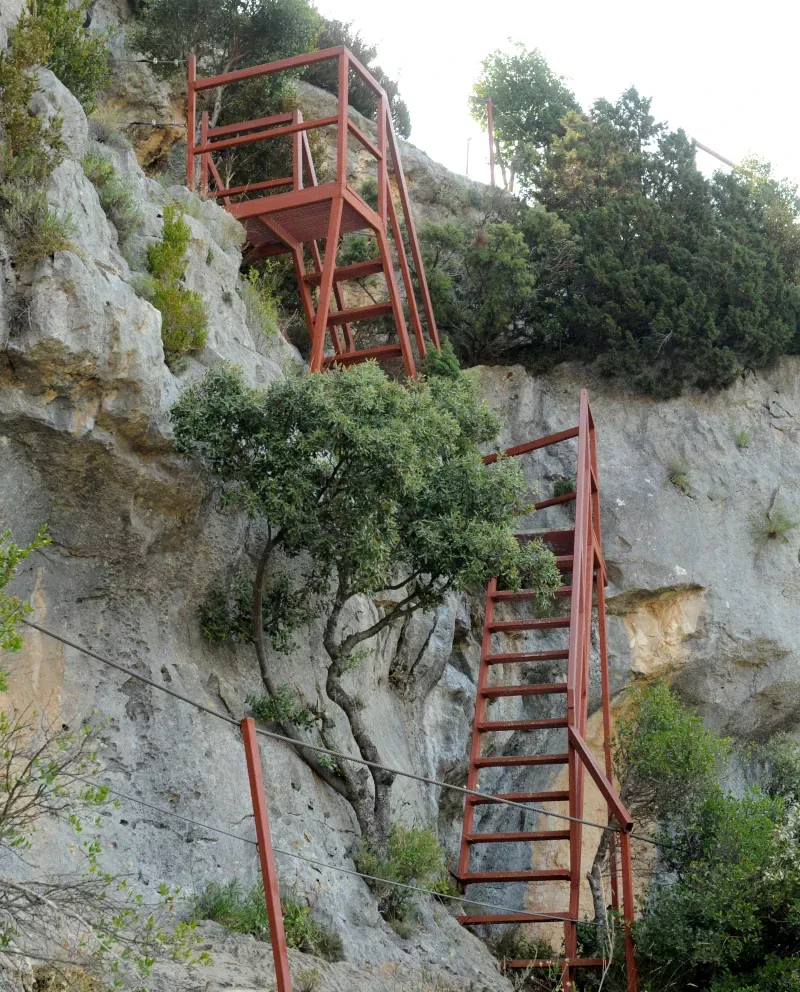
(579, 553)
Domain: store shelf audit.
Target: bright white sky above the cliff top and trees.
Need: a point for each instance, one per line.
(726, 72)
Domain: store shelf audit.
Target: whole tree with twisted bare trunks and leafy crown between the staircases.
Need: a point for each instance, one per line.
(364, 486)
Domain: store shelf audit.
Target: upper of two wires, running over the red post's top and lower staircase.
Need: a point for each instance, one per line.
(271, 735)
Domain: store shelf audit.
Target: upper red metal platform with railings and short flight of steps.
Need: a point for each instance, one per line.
(286, 220)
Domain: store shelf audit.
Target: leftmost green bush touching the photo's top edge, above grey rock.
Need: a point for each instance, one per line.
(78, 58)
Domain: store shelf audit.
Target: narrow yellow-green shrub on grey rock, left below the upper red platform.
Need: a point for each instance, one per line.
(184, 319)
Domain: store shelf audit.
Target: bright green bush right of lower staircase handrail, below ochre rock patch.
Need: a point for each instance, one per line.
(666, 759)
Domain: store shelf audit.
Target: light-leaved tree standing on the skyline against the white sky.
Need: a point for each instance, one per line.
(529, 100)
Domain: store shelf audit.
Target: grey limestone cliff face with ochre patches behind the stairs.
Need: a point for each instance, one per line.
(699, 591)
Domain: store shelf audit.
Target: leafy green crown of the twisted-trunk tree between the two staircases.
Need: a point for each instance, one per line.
(369, 477)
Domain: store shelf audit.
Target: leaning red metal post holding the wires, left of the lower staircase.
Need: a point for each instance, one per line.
(269, 875)
